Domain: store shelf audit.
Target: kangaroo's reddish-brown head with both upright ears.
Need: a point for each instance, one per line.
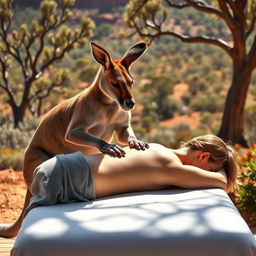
(116, 81)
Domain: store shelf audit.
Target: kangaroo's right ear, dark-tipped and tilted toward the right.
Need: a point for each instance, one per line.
(133, 54)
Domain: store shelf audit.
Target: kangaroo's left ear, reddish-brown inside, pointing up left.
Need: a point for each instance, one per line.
(101, 56)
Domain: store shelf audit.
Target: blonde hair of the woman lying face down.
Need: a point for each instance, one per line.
(220, 152)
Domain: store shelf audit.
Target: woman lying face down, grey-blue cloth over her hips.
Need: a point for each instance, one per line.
(204, 161)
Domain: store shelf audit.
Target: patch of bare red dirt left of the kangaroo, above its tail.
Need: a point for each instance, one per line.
(12, 194)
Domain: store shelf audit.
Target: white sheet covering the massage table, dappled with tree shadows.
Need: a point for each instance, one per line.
(170, 222)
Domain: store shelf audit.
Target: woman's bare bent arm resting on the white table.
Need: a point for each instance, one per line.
(188, 176)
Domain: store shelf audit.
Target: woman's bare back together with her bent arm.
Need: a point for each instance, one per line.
(155, 168)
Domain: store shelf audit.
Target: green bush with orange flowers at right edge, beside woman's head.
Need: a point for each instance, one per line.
(246, 192)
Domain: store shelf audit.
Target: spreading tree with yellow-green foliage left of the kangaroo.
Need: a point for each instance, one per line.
(33, 49)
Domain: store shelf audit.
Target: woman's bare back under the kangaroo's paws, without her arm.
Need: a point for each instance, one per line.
(138, 170)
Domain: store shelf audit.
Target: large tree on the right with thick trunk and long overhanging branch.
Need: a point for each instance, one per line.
(149, 18)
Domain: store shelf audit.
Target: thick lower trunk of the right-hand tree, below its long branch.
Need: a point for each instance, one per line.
(232, 126)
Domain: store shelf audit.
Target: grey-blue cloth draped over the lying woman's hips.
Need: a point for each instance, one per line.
(62, 179)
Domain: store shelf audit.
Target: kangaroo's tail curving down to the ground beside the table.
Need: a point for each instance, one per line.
(12, 229)
